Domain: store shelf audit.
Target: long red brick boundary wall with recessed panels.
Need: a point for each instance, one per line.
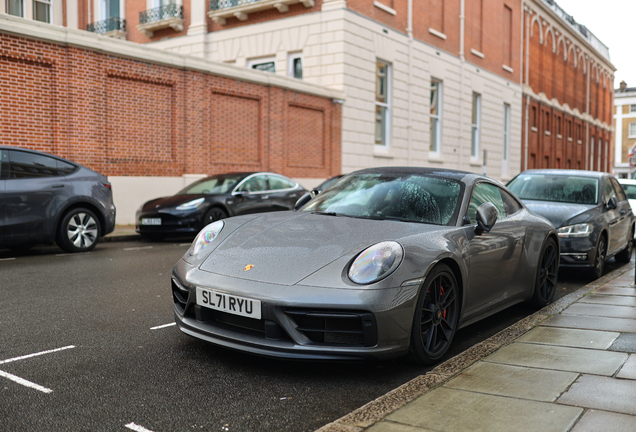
(126, 117)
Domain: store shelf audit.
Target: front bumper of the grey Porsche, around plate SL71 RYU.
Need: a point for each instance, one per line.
(299, 322)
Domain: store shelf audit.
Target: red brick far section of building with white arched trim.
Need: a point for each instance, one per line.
(564, 78)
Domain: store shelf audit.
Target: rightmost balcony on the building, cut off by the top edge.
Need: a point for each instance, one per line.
(220, 10)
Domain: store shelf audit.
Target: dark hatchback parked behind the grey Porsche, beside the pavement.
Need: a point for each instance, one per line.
(589, 210)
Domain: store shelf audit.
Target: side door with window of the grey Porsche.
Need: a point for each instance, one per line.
(494, 257)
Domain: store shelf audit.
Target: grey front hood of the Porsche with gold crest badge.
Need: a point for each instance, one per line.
(286, 247)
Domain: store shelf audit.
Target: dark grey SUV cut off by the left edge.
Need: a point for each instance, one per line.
(46, 199)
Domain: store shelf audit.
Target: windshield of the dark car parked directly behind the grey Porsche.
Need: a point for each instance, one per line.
(556, 188)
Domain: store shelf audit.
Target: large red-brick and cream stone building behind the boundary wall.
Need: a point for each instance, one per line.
(495, 86)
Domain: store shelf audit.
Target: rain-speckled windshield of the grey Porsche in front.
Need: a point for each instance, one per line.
(404, 197)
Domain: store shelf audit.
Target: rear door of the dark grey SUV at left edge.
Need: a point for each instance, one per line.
(34, 192)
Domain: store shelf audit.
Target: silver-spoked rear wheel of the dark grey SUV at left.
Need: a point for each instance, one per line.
(78, 231)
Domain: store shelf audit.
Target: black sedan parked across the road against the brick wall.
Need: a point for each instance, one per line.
(213, 198)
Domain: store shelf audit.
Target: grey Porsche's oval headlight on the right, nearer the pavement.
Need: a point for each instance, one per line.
(376, 262)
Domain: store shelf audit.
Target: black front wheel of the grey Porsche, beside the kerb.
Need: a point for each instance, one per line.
(436, 316)
